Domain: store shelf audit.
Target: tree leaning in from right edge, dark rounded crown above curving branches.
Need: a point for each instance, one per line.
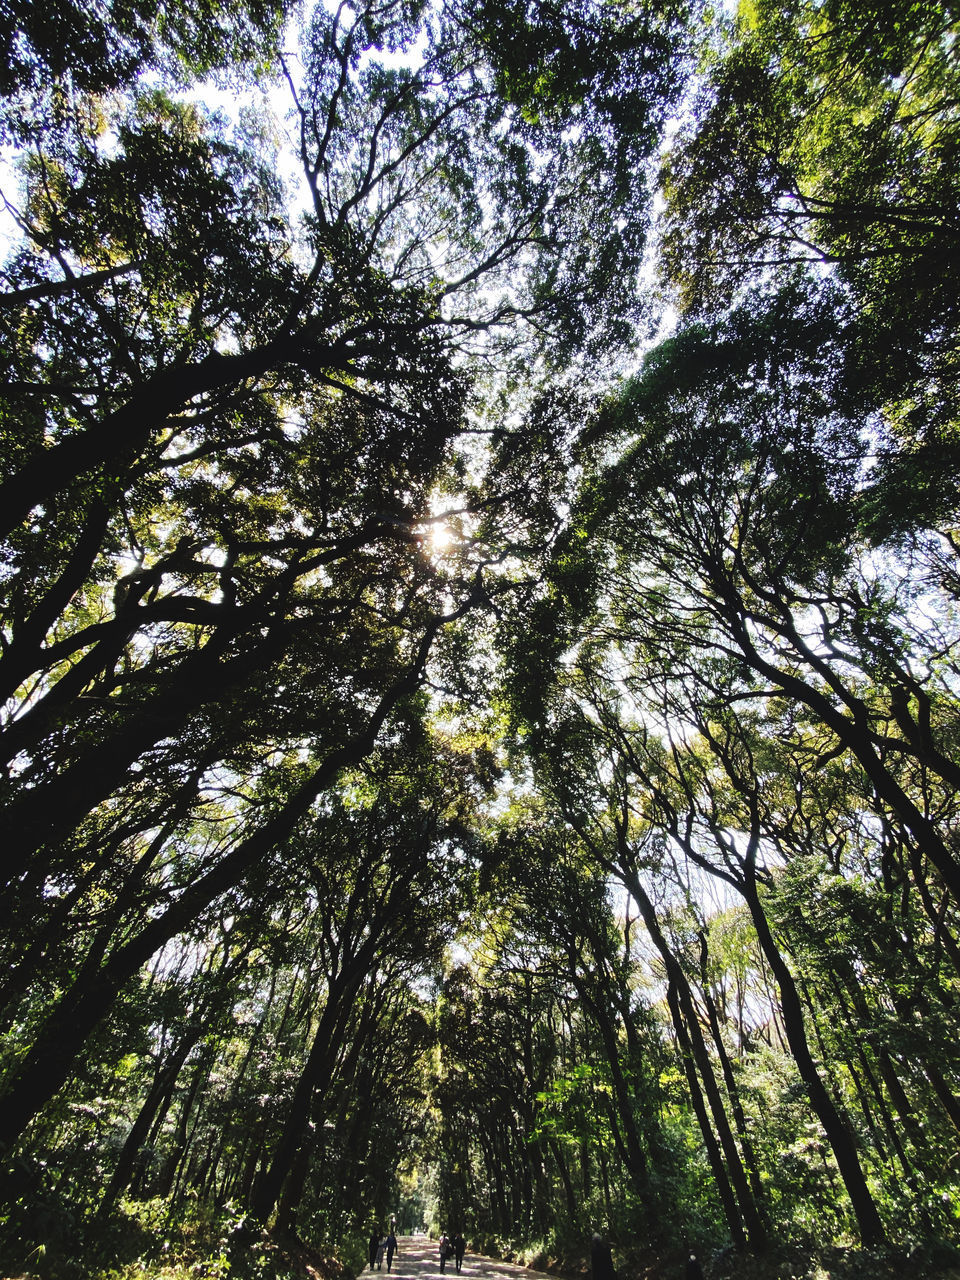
(756, 561)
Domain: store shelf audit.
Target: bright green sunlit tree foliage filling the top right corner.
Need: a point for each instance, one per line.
(825, 135)
